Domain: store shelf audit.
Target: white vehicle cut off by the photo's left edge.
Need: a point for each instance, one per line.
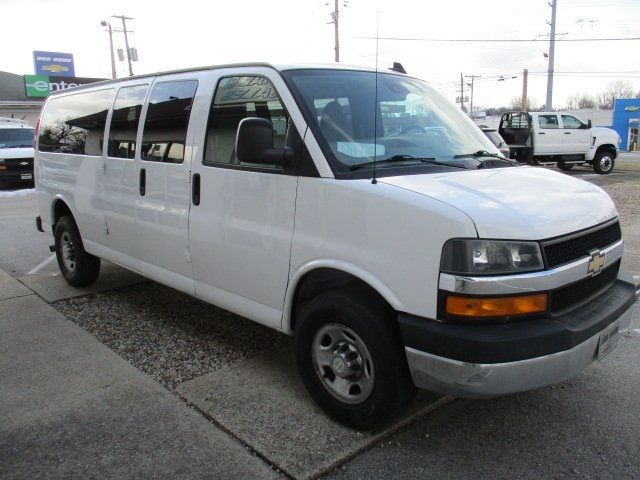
(16, 152)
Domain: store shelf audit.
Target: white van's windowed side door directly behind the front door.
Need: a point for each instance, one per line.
(162, 209)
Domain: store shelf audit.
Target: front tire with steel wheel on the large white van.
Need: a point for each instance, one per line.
(357, 339)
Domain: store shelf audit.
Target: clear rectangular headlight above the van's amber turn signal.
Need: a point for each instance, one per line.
(490, 257)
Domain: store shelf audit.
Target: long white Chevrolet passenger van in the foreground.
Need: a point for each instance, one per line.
(348, 208)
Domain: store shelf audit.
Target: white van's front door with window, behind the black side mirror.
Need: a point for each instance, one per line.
(241, 225)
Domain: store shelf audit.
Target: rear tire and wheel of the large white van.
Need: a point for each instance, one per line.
(78, 267)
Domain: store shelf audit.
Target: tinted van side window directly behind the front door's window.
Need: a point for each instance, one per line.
(165, 127)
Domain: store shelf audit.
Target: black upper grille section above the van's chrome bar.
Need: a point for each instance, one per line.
(561, 251)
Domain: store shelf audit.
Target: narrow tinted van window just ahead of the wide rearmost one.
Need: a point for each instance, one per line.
(124, 121)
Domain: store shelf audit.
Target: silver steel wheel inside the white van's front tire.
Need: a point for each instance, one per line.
(343, 363)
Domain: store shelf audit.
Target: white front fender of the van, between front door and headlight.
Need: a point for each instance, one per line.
(393, 235)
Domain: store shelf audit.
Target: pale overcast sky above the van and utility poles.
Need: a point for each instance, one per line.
(186, 33)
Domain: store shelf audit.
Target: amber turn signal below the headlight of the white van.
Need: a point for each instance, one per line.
(496, 306)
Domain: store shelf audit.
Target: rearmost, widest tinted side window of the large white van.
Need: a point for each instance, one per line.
(75, 123)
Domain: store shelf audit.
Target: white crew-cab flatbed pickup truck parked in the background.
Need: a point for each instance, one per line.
(560, 138)
